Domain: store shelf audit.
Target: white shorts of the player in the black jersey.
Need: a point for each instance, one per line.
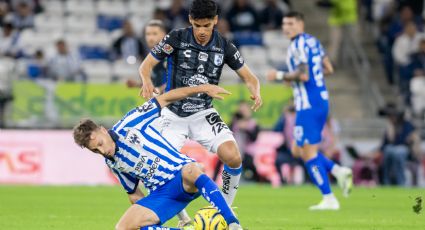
(205, 127)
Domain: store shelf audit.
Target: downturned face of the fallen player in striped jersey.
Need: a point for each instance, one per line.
(101, 143)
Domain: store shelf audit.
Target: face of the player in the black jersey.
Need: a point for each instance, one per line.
(203, 29)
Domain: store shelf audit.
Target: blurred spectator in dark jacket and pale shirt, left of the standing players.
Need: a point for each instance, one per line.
(128, 47)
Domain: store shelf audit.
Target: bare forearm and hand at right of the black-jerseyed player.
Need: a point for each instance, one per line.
(253, 84)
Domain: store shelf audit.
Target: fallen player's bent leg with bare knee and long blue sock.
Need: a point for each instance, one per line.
(195, 180)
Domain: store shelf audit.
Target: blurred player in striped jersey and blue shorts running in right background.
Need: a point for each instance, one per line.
(307, 64)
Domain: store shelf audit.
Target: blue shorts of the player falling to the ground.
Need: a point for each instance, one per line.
(169, 199)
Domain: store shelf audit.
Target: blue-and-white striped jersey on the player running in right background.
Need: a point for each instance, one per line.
(312, 94)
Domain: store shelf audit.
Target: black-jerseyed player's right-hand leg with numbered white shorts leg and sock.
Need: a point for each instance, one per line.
(209, 130)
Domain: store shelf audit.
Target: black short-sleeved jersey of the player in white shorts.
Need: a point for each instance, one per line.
(190, 64)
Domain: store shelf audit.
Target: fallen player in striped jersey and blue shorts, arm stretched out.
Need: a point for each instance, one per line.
(135, 151)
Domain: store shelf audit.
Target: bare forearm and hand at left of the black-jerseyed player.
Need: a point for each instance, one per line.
(145, 70)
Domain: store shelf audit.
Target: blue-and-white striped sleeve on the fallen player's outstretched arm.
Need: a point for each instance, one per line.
(139, 116)
